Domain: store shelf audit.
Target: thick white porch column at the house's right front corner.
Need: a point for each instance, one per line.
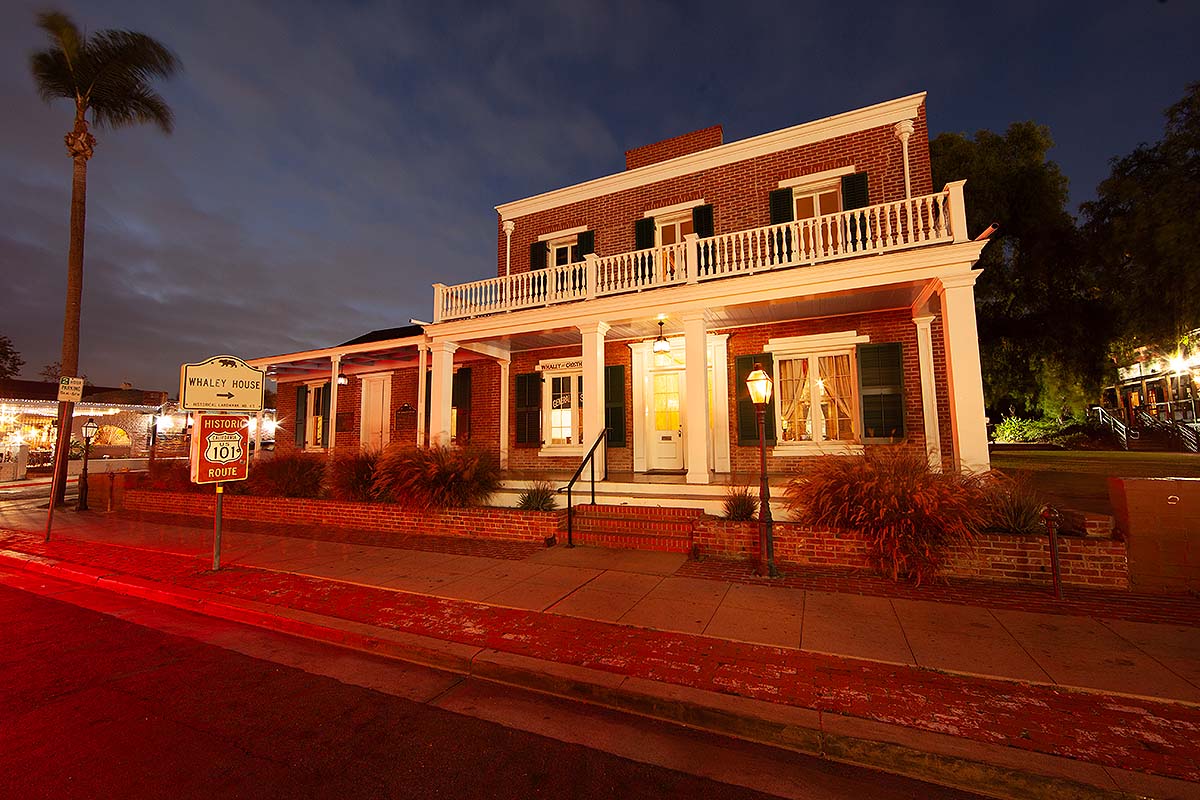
(965, 376)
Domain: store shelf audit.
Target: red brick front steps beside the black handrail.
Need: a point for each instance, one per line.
(635, 527)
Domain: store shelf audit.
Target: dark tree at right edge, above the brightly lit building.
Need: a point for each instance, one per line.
(1144, 227)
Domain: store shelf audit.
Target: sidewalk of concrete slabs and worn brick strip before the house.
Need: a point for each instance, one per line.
(1030, 689)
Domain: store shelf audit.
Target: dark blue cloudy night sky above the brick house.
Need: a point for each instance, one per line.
(333, 160)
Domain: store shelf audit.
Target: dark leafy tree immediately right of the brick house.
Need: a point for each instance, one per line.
(1042, 332)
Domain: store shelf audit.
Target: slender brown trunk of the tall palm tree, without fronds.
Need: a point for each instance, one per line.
(80, 147)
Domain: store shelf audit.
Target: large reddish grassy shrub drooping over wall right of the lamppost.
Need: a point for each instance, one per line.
(910, 515)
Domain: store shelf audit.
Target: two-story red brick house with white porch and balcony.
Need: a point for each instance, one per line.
(638, 303)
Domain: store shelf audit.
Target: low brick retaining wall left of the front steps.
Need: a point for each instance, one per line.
(484, 522)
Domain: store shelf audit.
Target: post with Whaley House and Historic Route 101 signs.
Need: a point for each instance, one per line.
(220, 442)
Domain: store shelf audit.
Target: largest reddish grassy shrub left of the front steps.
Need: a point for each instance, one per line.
(435, 478)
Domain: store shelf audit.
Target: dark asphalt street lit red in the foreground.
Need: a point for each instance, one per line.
(105, 696)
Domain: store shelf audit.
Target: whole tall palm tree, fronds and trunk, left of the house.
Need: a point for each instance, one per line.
(110, 75)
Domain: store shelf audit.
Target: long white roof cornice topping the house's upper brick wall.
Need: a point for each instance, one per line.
(863, 119)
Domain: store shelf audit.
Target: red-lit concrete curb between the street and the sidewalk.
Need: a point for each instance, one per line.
(994, 771)
